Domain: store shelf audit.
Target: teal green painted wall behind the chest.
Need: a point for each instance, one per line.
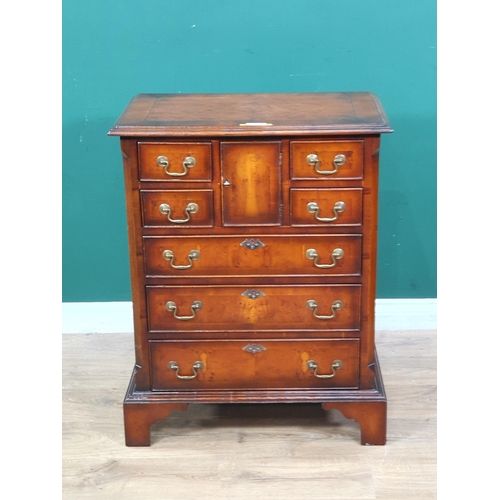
(113, 50)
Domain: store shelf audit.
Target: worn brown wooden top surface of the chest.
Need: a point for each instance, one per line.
(179, 115)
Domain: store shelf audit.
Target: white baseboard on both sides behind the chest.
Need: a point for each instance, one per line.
(116, 317)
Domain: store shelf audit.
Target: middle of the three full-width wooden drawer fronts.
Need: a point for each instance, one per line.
(246, 308)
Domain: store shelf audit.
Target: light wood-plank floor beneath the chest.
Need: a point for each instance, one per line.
(244, 451)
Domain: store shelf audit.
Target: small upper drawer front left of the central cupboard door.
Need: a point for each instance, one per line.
(175, 161)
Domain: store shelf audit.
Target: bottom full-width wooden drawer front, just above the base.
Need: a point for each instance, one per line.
(255, 364)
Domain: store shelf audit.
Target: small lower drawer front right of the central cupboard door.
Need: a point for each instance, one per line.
(326, 207)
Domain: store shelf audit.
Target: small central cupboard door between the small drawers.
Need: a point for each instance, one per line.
(251, 183)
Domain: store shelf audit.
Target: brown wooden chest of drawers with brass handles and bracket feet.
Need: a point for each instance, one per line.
(252, 224)
